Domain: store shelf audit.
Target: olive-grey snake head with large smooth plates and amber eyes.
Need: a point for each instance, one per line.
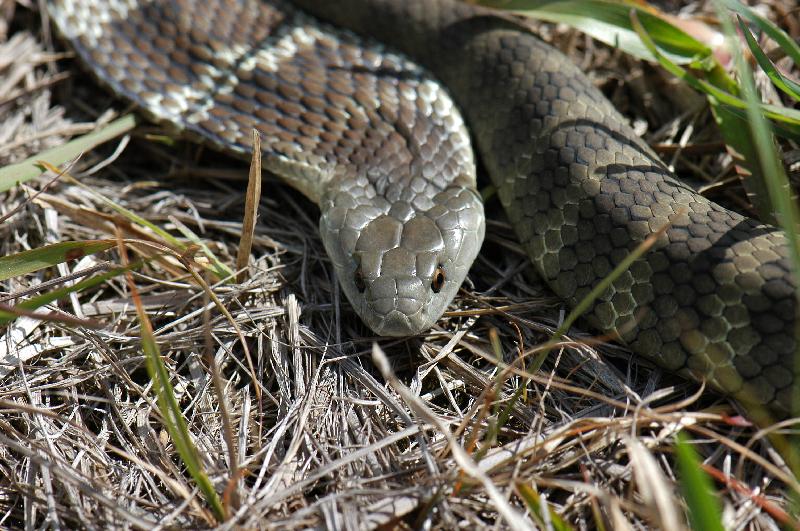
(401, 255)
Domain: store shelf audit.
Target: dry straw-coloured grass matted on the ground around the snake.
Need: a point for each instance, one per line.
(323, 438)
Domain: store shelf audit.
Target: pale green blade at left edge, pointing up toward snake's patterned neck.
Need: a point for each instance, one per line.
(12, 175)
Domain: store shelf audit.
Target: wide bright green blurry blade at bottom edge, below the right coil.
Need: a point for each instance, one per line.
(705, 513)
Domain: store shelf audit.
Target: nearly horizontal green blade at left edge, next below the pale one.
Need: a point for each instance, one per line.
(29, 261)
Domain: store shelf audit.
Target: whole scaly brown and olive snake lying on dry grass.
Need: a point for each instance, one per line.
(380, 111)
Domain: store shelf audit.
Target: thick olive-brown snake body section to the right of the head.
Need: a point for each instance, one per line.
(714, 299)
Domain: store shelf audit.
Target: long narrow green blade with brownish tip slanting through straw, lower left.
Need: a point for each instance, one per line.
(169, 408)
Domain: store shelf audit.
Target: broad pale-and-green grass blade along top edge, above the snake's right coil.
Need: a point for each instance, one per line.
(608, 21)
